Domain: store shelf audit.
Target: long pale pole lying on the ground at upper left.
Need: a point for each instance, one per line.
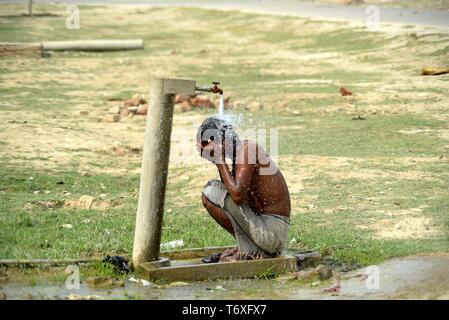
(93, 45)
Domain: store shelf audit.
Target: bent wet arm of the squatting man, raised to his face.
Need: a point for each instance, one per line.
(239, 186)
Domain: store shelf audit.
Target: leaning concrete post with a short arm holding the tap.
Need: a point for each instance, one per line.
(156, 154)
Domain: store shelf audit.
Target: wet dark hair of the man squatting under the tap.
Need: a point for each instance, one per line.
(214, 127)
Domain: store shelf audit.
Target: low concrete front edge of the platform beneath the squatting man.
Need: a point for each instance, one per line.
(194, 270)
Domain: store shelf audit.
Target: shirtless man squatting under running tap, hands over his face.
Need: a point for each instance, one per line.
(251, 201)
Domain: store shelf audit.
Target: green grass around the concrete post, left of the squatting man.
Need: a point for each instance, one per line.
(38, 232)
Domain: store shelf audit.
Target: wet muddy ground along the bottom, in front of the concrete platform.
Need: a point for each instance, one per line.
(416, 277)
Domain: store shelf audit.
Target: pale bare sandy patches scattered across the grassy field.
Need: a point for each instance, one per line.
(49, 139)
